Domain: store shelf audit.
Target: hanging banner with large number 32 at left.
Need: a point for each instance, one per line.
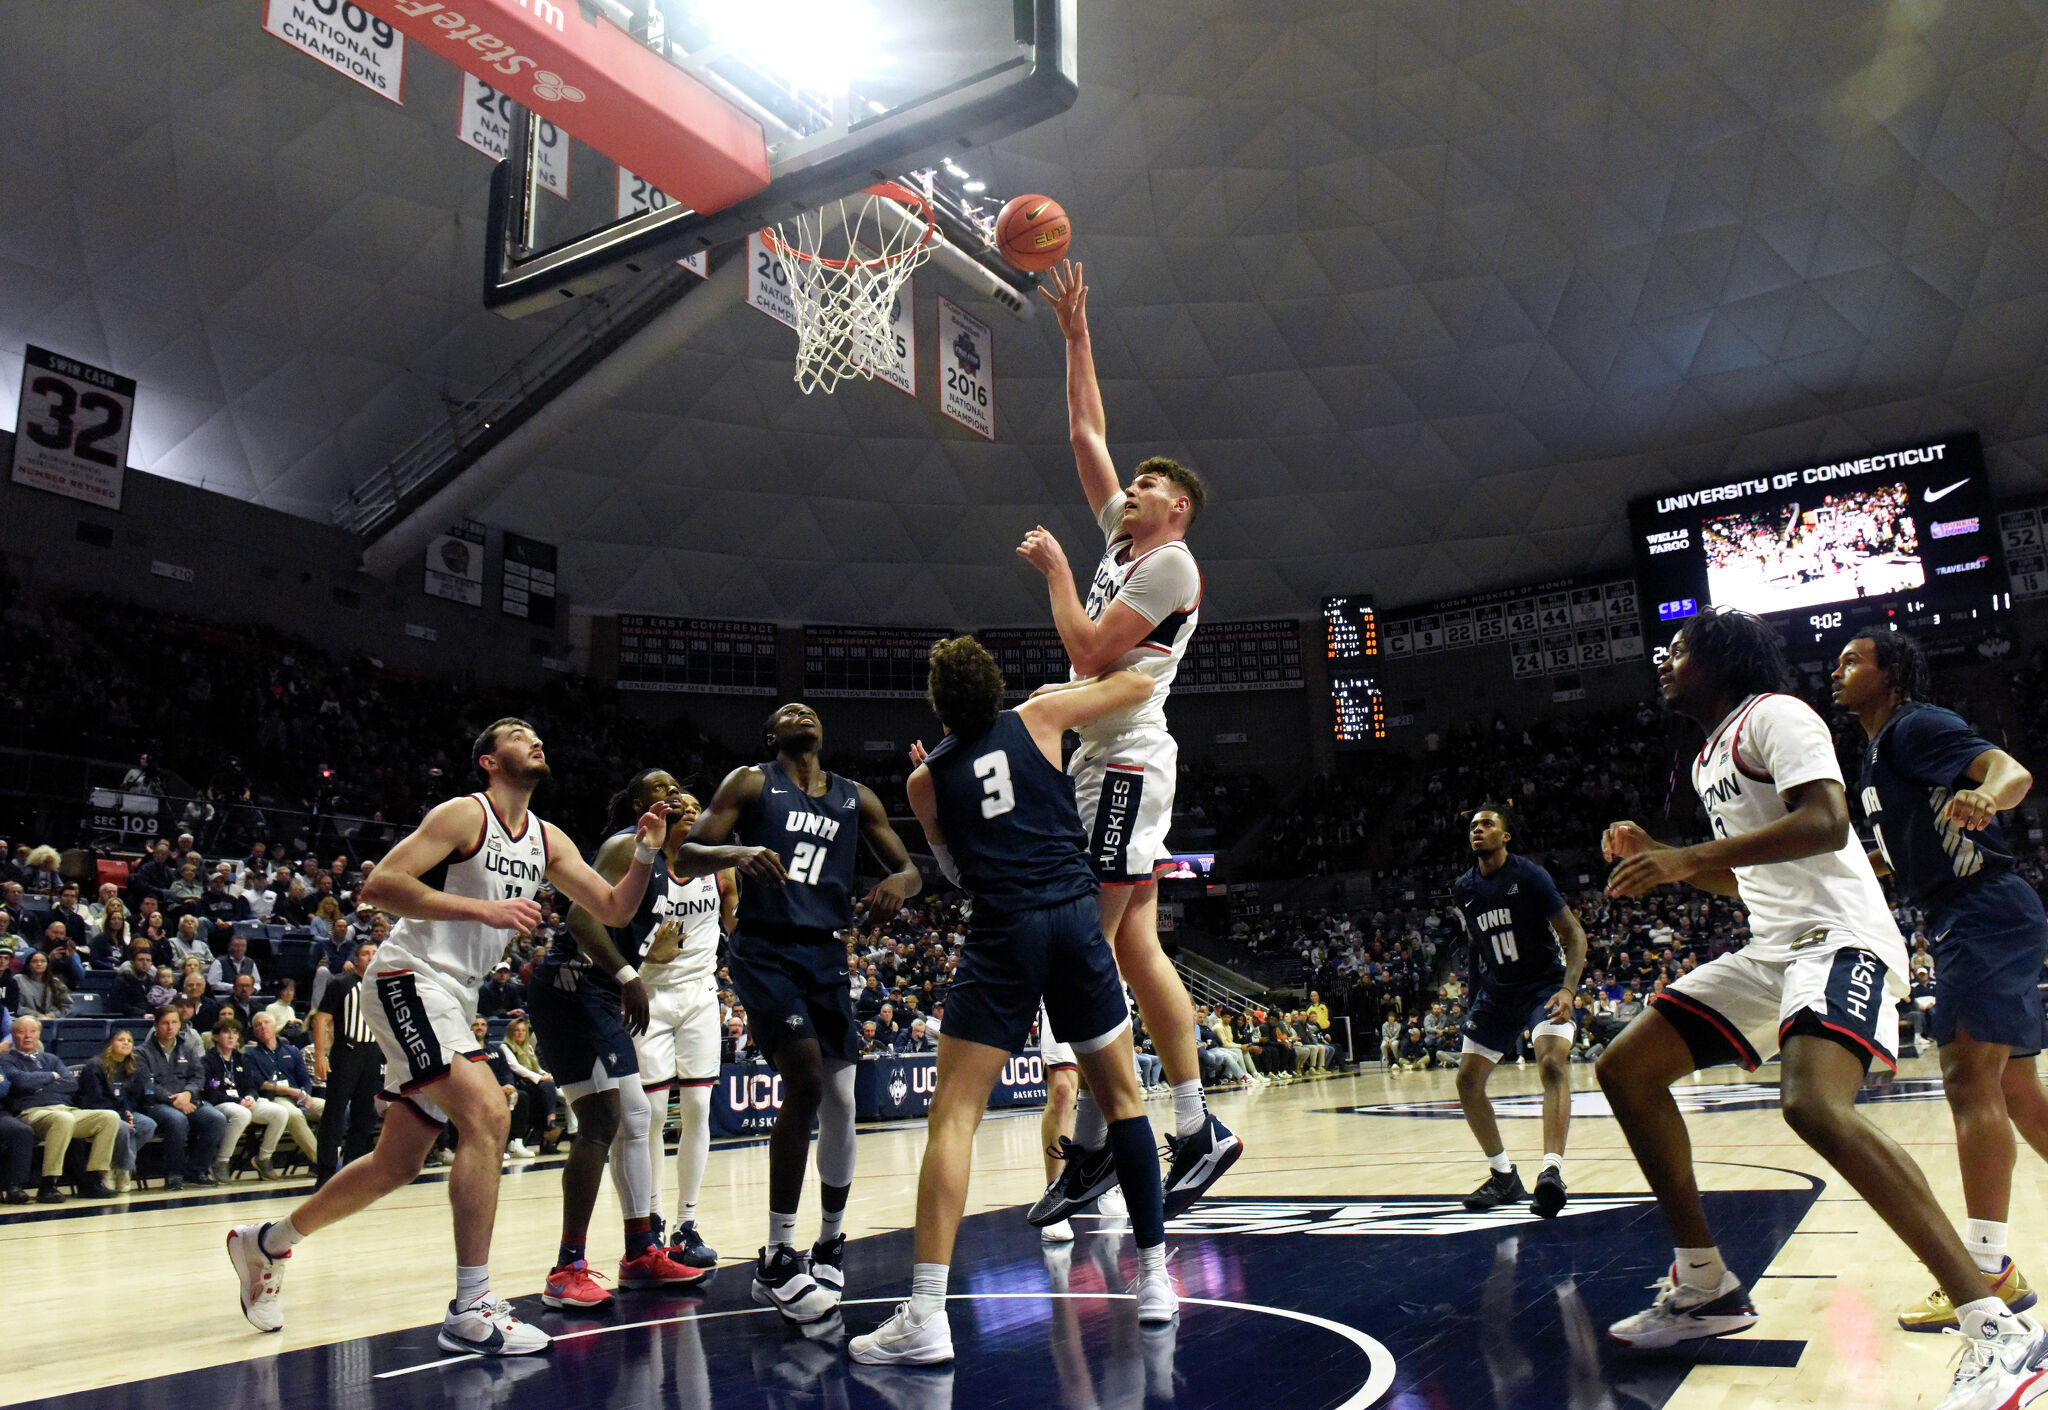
(73, 427)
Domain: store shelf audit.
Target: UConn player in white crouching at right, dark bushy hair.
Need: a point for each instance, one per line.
(1818, 985)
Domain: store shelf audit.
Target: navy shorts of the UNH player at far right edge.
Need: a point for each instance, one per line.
(1990, 944)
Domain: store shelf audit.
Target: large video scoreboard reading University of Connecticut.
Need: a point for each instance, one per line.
(1818, 548)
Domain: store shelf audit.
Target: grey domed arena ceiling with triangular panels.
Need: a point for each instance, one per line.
(1426, 290)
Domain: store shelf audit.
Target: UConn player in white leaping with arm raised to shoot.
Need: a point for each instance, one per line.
(1140, 614)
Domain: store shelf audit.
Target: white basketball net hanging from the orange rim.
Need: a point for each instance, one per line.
(847, 267)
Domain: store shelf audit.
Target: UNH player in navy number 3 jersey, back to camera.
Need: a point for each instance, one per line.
(1002, 823)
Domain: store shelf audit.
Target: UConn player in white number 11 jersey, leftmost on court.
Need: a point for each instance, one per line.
(464, 884)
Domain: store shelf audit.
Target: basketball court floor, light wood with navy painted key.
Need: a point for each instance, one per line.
(1334, 1268)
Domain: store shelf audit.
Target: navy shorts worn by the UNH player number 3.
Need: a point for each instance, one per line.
(1013, 962)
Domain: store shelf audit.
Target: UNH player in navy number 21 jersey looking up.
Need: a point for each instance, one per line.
(800, 835)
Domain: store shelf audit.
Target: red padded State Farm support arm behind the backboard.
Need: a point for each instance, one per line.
(601, 85)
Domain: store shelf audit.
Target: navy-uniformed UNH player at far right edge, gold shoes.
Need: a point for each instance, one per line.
(1932, 790)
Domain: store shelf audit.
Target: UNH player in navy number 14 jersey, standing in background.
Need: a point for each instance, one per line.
(1529, 954)
